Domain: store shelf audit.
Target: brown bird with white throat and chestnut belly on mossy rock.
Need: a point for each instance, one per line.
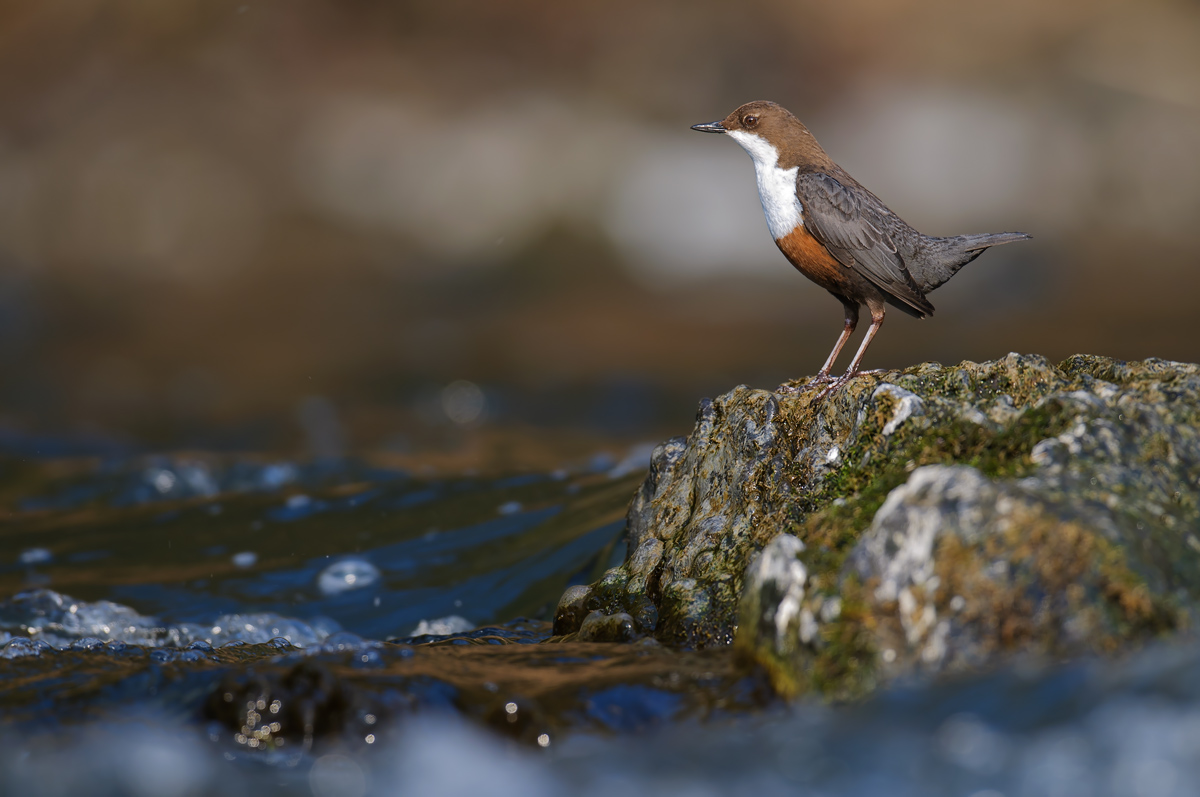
(839, 235)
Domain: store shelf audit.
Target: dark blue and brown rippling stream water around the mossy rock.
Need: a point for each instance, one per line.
(189, 626)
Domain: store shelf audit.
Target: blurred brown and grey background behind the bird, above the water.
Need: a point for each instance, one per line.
(463, 226)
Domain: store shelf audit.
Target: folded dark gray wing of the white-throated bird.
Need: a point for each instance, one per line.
(855, 227)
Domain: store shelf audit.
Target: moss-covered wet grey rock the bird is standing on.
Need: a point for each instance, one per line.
(929, 520)
